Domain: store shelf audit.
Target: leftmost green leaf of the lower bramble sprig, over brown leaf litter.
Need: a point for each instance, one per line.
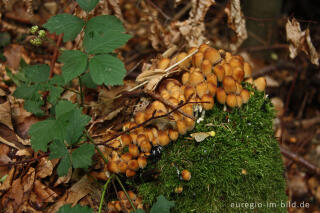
(42, 133)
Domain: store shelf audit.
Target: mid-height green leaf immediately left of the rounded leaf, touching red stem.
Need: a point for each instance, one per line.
(75, 63)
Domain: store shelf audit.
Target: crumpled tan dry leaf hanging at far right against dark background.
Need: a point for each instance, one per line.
(300, 41)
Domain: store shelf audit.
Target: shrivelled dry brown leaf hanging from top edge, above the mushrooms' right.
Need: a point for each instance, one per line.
(236, 22)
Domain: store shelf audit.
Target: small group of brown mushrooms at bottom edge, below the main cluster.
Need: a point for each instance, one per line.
(123, 204)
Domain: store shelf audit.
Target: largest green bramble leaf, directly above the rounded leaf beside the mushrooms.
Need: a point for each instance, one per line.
(103, 34)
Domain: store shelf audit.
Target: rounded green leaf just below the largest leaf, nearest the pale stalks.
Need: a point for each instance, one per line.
(106, 69)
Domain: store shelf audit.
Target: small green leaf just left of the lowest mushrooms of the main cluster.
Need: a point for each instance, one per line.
(82, 156)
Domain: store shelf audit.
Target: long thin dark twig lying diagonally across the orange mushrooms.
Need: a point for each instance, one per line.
(146, 121)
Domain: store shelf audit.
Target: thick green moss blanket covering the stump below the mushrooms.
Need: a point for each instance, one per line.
(244, 143)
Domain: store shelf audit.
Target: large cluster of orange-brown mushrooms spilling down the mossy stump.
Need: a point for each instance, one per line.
(208, 75)
